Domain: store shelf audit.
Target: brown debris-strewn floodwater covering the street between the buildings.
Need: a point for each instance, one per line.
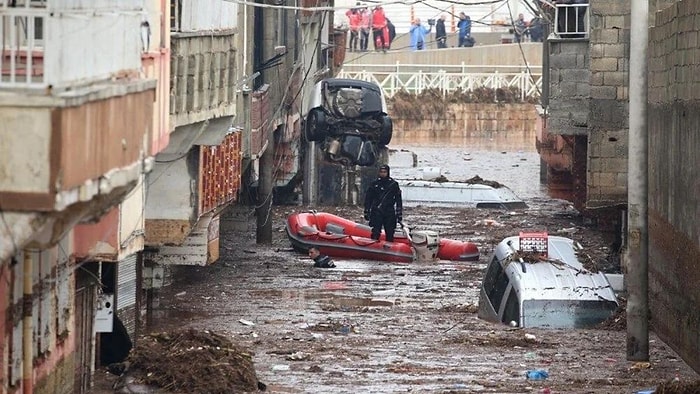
(377, 327)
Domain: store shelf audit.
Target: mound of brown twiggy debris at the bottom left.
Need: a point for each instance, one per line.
(192, 361)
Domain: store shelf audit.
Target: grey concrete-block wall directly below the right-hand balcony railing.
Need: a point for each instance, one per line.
(569, 87)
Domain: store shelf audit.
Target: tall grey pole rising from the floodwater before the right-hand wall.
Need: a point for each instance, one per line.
(637, 255)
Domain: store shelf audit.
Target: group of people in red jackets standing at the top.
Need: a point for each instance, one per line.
(363, 22)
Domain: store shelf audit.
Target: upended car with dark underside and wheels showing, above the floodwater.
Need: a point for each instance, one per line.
(348, 120)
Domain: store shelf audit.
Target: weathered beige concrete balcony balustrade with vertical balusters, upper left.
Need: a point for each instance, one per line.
(202, 78)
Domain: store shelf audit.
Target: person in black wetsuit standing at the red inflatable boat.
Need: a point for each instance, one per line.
(383, 204)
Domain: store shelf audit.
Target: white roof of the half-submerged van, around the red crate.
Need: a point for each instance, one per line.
(560, 276)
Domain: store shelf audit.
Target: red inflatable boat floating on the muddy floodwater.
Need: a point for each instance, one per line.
(339, 237)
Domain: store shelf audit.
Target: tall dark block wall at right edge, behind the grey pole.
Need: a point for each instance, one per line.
(674, 178)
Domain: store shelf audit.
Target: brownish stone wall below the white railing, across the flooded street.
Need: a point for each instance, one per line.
(465, 120)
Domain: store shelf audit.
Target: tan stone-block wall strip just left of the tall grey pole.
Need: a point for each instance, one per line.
(608, 130)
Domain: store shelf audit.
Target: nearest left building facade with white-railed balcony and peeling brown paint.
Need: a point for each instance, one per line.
(70, 155)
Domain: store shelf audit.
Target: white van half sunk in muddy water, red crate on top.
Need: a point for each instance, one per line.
(536, 280)
